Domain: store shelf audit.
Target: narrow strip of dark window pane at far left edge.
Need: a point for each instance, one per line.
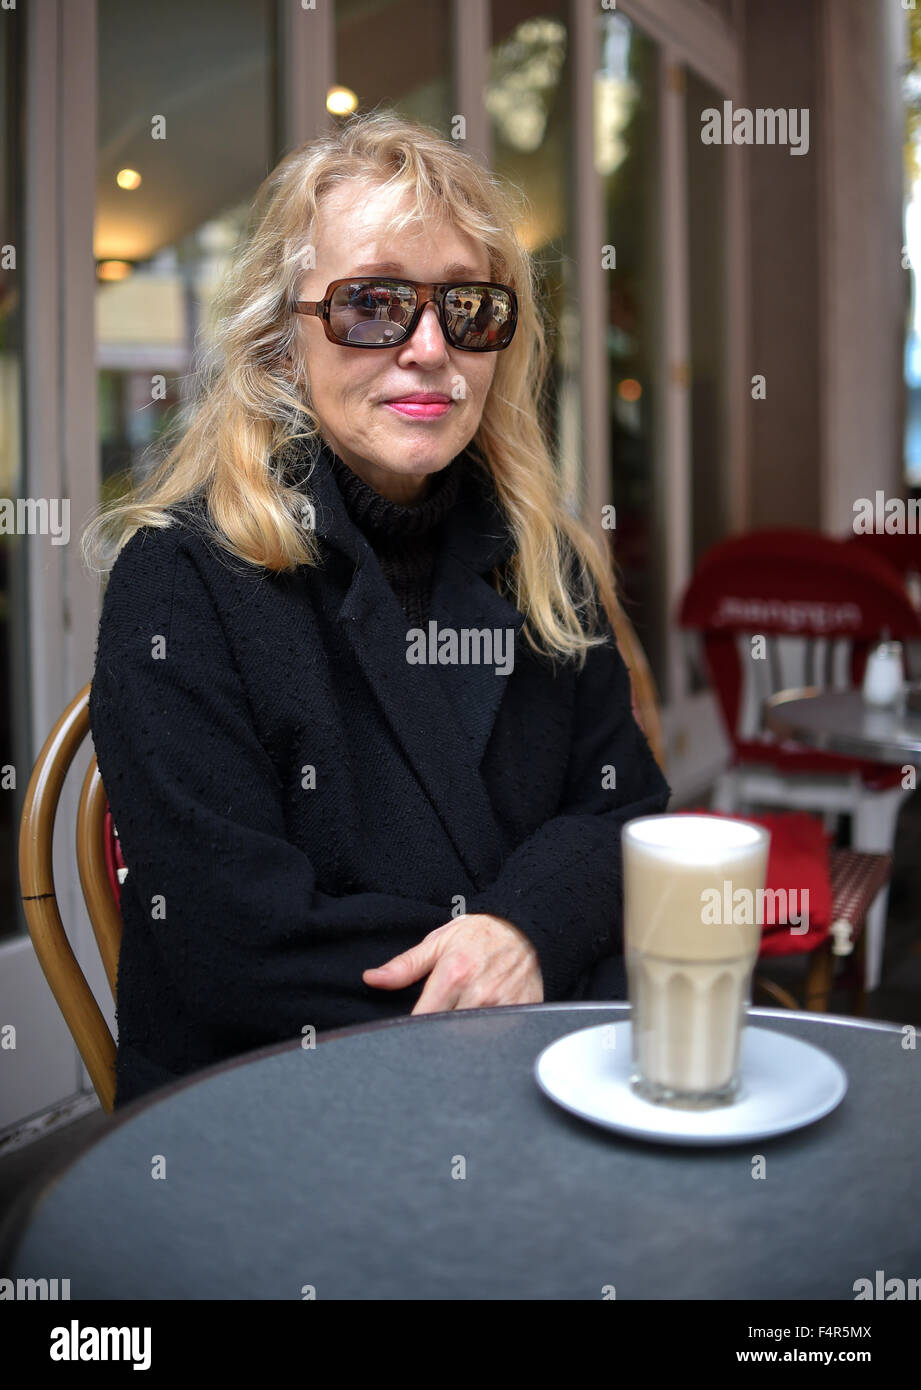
(15, 703)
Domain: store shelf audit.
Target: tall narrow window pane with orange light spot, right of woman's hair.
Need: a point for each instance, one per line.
(627, 156)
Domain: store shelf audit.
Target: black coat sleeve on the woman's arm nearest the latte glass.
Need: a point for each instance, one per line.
(563, 885)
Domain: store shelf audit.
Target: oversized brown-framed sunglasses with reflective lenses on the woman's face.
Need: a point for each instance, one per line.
(477, 316)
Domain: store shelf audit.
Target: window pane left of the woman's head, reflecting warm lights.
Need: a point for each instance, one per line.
(184, 102)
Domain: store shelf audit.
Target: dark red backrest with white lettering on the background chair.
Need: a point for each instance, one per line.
(818, 603)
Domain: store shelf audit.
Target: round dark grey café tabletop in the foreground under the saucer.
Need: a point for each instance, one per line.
(334, 1168)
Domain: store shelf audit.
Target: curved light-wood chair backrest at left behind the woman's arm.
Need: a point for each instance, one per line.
(95, 854)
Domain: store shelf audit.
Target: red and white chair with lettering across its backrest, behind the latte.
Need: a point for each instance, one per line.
(818, 605)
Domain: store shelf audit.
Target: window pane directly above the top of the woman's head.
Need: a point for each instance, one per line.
(397, 54)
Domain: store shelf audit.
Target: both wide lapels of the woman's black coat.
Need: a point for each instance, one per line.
(460, 701)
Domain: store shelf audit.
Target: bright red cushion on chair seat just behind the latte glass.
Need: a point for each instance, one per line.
(798, 860)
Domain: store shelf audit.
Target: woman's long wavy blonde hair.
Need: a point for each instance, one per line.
(234, 444)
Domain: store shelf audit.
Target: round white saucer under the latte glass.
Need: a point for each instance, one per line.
(784, 1085)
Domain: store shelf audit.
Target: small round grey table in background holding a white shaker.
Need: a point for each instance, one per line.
(838, 722)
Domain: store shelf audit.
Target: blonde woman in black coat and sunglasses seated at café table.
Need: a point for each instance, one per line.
(358, 707)
